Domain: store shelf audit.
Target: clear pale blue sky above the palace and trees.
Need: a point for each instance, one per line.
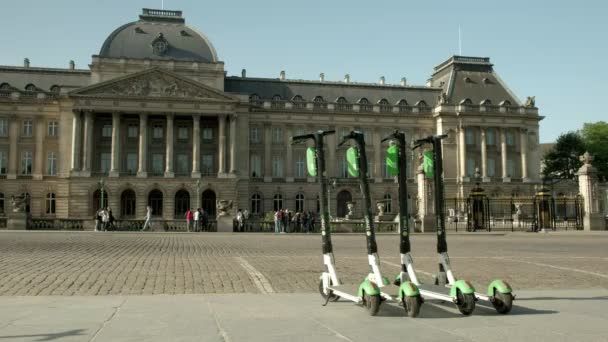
(555, 50)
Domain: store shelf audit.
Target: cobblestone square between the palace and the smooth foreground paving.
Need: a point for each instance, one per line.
(88, 263)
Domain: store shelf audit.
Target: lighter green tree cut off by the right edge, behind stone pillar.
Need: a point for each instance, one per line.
(595, 137)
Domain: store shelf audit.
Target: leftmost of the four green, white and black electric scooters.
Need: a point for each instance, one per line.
(330, 287)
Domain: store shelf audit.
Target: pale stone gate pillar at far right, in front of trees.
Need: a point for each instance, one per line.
(588, 188)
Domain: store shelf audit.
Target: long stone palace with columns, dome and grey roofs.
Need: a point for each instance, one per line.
(156, 119)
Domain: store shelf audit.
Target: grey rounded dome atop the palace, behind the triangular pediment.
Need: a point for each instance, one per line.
(159, 34)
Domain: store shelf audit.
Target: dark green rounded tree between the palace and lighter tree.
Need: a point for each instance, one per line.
(562, 161)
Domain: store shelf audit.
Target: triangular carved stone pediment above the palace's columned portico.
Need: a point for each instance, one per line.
(153, 83)
